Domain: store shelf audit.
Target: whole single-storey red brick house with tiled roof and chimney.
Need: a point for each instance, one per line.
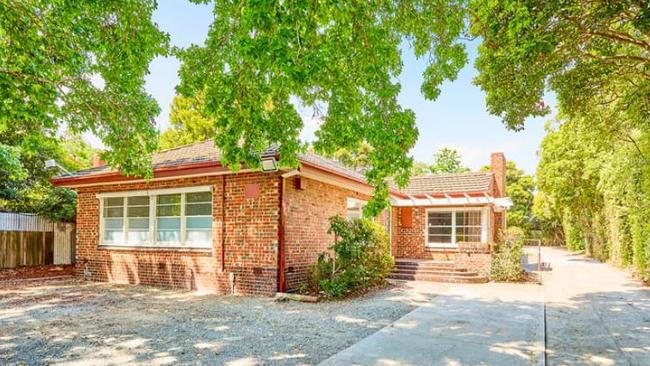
(199, 226)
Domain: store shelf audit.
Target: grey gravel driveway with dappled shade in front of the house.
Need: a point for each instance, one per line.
(77, 323)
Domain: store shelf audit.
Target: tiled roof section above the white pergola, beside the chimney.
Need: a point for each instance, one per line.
(449, 183)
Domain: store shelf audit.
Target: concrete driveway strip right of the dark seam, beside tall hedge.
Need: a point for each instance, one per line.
(595, 313)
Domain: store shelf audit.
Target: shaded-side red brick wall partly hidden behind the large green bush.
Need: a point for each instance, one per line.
(307, 212)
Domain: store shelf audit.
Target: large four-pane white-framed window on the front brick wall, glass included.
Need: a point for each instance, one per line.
(157, 218)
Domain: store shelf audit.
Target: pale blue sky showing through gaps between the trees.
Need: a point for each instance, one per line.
(457, 119)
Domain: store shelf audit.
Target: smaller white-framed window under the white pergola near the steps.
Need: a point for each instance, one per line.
(446, 227)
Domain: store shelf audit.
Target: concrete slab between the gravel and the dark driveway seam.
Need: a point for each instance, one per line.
(494, 324)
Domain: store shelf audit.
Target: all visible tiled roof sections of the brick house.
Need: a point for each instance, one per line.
(206, 151)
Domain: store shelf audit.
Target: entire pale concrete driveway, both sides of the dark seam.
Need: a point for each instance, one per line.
(596, 315)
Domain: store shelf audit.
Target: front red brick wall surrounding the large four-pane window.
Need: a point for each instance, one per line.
(250, 241)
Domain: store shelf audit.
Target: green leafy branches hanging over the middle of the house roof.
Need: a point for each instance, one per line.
(261, 59)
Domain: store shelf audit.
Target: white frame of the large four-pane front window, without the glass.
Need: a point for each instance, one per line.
(153, 218)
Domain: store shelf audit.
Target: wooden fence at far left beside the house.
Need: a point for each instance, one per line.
(30, 240)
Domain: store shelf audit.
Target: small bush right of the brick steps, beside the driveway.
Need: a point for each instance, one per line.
(506, 263)
